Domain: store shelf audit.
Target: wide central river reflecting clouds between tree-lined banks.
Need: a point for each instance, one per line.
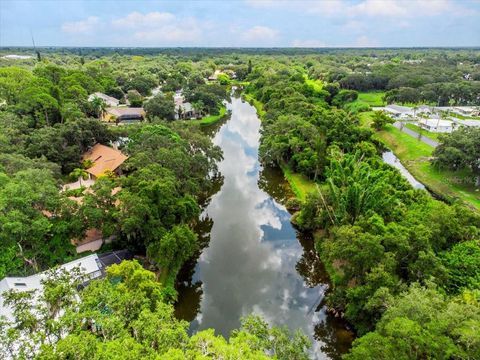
(254, 260)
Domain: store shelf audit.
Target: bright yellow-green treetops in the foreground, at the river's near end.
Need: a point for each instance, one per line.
(125, 316)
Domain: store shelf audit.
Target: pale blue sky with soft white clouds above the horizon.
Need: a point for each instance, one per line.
(241, 23)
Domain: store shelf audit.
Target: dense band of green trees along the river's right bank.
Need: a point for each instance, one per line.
(363, 216)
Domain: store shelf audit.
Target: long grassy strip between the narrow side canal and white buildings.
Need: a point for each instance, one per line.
(415, 156)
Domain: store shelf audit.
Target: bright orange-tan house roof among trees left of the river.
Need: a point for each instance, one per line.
(104, 159)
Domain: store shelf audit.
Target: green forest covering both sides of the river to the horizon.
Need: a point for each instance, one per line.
(403, 264)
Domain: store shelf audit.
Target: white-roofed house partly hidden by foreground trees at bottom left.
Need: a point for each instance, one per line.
(36, 303)
